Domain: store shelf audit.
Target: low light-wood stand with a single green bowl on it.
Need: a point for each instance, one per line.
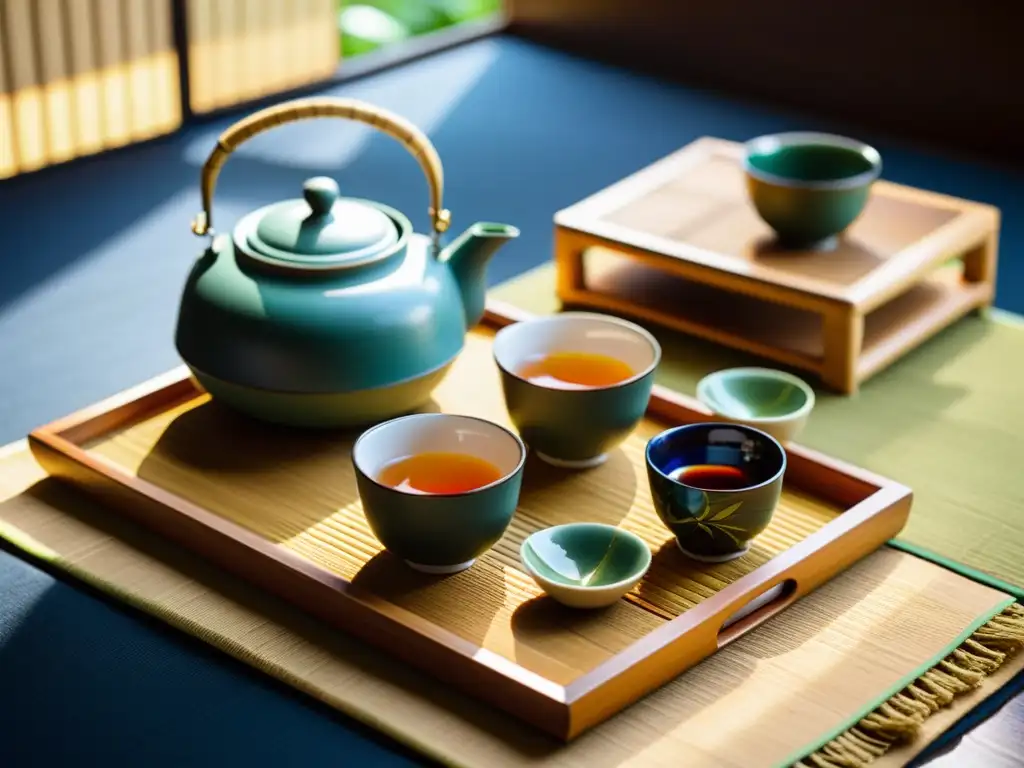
(691, 253)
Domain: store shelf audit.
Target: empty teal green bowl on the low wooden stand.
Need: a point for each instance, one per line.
(809, 187)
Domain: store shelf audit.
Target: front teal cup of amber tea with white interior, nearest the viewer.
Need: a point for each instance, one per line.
(438, 490)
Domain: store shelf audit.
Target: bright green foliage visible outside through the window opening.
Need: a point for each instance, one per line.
(367, 25)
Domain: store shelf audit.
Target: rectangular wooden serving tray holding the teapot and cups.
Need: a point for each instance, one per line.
(280, 508)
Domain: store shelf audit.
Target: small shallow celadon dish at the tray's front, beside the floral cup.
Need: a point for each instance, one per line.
(585, 565)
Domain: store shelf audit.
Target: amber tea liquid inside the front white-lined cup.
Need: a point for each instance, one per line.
(439, 474)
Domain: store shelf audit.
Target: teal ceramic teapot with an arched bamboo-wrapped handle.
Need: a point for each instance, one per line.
(330, 312)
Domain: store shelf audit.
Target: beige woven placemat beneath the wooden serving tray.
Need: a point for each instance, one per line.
(769, 700)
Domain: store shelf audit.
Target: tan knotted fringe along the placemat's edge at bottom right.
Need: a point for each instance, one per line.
(900, 718)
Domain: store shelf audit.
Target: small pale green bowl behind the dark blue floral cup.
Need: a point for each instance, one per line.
(775, 402)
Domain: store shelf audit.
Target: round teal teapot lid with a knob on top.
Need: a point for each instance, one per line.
(325, 231)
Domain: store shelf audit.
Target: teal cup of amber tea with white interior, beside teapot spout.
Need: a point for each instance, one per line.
(576, 385)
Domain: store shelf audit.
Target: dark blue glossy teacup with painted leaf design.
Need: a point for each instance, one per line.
(715, 487)
